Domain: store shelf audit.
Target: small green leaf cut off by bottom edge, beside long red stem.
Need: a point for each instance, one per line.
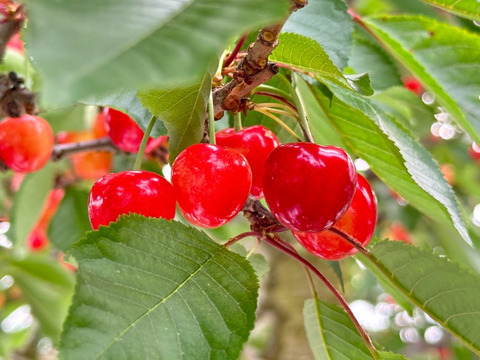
(331, 333)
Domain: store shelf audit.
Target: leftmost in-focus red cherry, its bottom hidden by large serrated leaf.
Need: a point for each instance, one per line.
(139, 192)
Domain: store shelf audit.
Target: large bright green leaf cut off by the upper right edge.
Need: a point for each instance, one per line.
(446, 60)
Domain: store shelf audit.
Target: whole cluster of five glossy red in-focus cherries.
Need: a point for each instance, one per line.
(309, 188)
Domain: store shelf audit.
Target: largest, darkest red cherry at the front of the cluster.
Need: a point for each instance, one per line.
(308, 187)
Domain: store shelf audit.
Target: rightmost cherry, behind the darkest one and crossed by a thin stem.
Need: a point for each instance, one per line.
(359, 222)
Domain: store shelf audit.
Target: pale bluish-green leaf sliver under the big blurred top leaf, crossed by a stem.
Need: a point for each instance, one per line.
(128, 102)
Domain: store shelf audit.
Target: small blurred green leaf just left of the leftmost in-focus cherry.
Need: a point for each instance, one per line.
(71, 221)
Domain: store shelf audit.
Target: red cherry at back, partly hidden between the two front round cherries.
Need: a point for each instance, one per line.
(255, 143)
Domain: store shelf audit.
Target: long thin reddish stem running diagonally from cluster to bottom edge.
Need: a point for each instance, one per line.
(276, 242)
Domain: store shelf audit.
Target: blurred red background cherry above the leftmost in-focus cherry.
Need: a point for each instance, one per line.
(125, 132)
